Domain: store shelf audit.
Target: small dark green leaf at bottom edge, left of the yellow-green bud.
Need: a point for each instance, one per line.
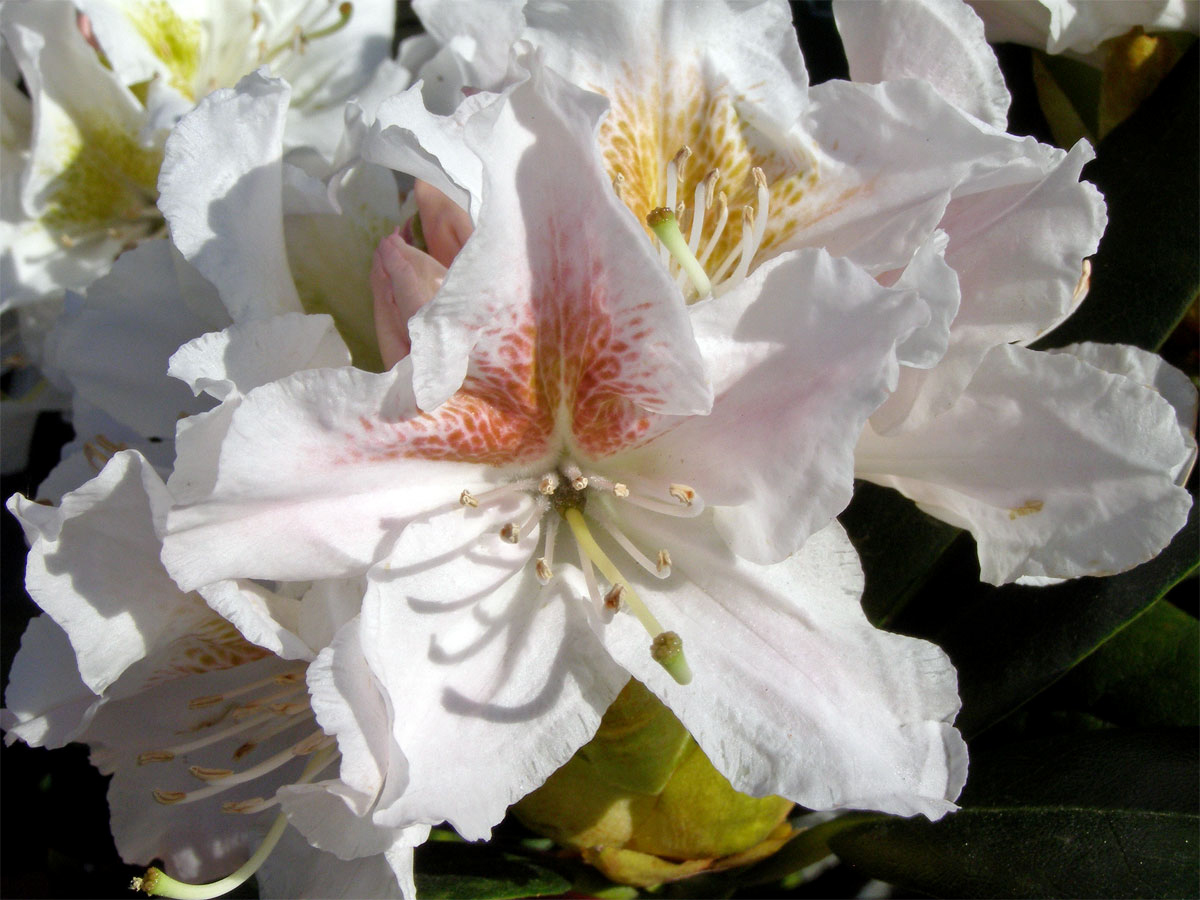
(464, 872)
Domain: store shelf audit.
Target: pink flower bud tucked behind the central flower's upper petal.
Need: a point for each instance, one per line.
(403, 280)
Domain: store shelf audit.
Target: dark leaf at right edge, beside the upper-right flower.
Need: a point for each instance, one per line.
(1147, 272)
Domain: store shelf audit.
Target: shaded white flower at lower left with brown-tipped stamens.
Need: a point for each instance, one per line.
(211, 739)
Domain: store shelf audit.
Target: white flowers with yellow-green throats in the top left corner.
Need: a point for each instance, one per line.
(109, 80)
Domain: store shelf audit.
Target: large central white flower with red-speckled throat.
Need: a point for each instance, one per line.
(617, 484)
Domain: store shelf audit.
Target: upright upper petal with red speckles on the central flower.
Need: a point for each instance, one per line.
(565, 280)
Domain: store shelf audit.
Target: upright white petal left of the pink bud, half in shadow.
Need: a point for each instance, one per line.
(221, 190)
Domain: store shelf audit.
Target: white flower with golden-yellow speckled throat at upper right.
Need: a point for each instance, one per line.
(712, 116)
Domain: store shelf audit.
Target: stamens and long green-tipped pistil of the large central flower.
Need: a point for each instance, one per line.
(567, 493)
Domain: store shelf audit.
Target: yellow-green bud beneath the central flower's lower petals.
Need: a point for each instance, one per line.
(645, 806)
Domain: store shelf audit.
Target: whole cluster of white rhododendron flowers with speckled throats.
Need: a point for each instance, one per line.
(412, 423)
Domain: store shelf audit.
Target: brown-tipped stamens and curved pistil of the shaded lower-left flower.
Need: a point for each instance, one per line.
(254, 715)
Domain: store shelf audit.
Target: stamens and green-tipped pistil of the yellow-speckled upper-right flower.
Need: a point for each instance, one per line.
(706, 262)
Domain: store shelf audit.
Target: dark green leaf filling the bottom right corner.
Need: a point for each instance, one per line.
(1106, 814)
